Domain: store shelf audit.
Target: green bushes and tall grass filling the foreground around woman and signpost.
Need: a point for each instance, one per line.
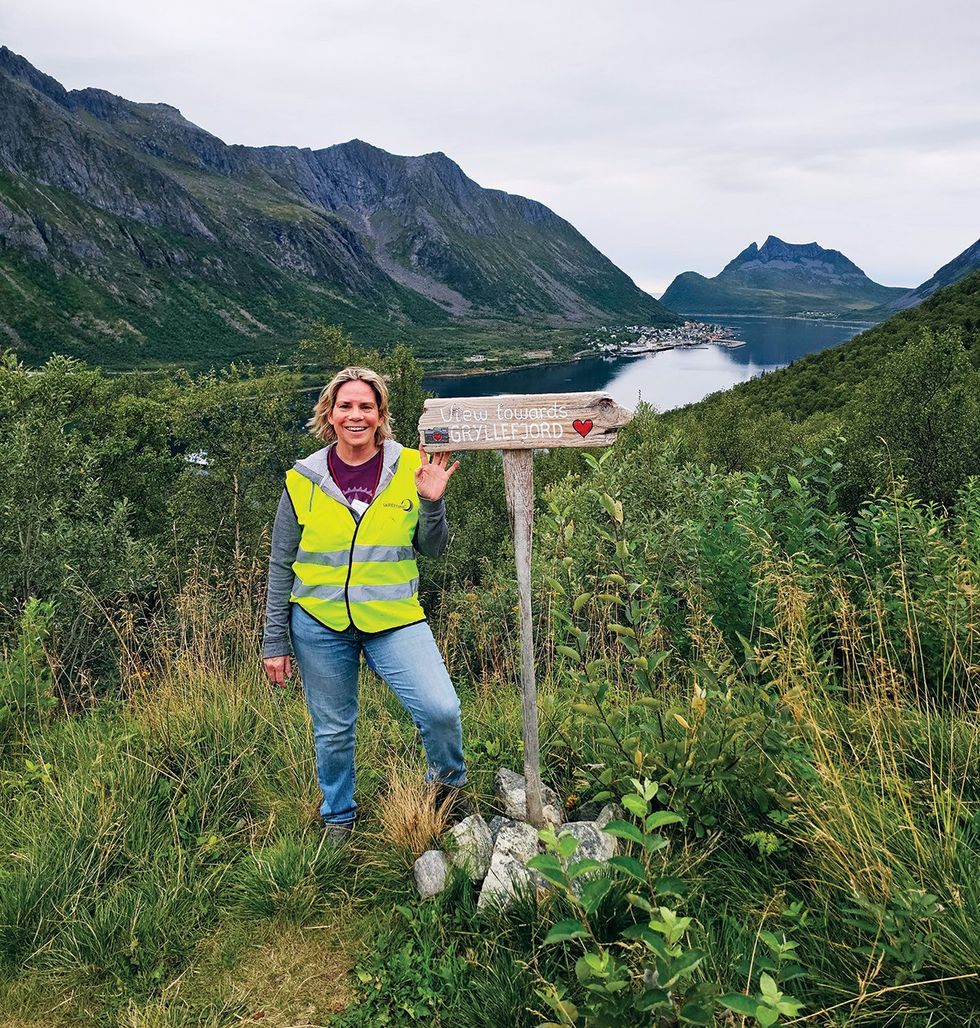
(773, 671)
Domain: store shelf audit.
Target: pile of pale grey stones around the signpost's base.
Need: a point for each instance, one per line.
(497, 854)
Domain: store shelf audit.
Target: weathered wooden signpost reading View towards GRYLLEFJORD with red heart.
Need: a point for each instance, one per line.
(519, 425)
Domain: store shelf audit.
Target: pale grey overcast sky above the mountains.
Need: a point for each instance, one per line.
(671, 134)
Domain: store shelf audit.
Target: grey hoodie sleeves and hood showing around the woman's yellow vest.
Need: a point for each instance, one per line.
(432, 536)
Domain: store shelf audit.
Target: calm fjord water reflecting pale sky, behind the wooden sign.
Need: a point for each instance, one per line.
(671, 379)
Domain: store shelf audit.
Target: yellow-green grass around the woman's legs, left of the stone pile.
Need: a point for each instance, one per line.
(156, 839)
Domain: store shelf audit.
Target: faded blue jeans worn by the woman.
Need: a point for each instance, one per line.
(409, 660)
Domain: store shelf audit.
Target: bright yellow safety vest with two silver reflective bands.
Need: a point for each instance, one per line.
(361, 573)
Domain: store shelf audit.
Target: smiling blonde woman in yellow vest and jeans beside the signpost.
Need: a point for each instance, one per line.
(344, 580)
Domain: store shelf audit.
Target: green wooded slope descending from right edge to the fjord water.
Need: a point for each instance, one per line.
(914, 382)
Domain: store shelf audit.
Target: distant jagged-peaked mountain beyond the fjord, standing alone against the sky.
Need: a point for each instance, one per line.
(780, 279)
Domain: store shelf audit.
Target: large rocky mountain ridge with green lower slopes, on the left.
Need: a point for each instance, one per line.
(129, 236)
